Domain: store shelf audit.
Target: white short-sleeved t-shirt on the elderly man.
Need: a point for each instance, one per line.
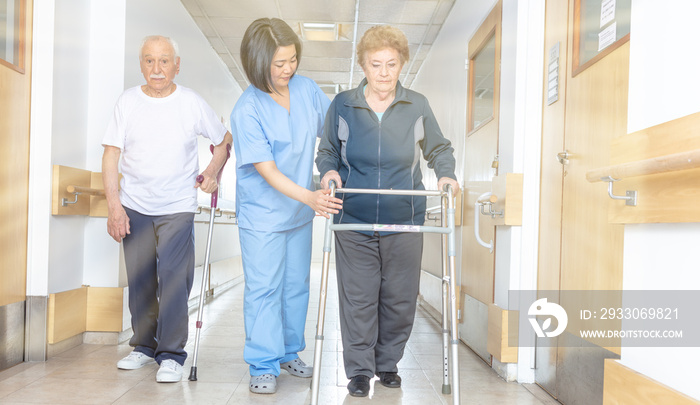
(158, 142)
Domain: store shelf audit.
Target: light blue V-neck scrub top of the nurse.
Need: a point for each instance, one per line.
(262, 131)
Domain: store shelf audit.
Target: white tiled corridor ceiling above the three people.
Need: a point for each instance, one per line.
(224, 22)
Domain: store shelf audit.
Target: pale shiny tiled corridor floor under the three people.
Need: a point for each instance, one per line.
(87, 374)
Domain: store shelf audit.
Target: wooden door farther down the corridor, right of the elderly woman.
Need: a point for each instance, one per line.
(481, 150)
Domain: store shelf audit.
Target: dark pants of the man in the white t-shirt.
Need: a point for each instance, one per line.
(159, 258)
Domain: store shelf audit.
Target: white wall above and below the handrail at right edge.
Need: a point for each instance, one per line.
(664, 85)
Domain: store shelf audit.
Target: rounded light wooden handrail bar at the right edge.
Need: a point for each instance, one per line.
(661, 164)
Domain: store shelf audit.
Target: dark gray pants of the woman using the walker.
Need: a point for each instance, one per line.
(378, 278)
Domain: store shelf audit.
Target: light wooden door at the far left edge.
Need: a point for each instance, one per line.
(14, 180)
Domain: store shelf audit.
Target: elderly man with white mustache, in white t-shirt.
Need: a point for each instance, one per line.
(154, 130)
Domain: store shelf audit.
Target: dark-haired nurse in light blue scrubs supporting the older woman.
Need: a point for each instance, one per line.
(275, 124)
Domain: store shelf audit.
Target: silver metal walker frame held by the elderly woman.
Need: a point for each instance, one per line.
(449, 331)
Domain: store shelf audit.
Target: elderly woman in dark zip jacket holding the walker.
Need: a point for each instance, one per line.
(373, 138)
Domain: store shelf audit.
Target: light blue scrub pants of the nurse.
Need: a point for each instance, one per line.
(276, 267)
